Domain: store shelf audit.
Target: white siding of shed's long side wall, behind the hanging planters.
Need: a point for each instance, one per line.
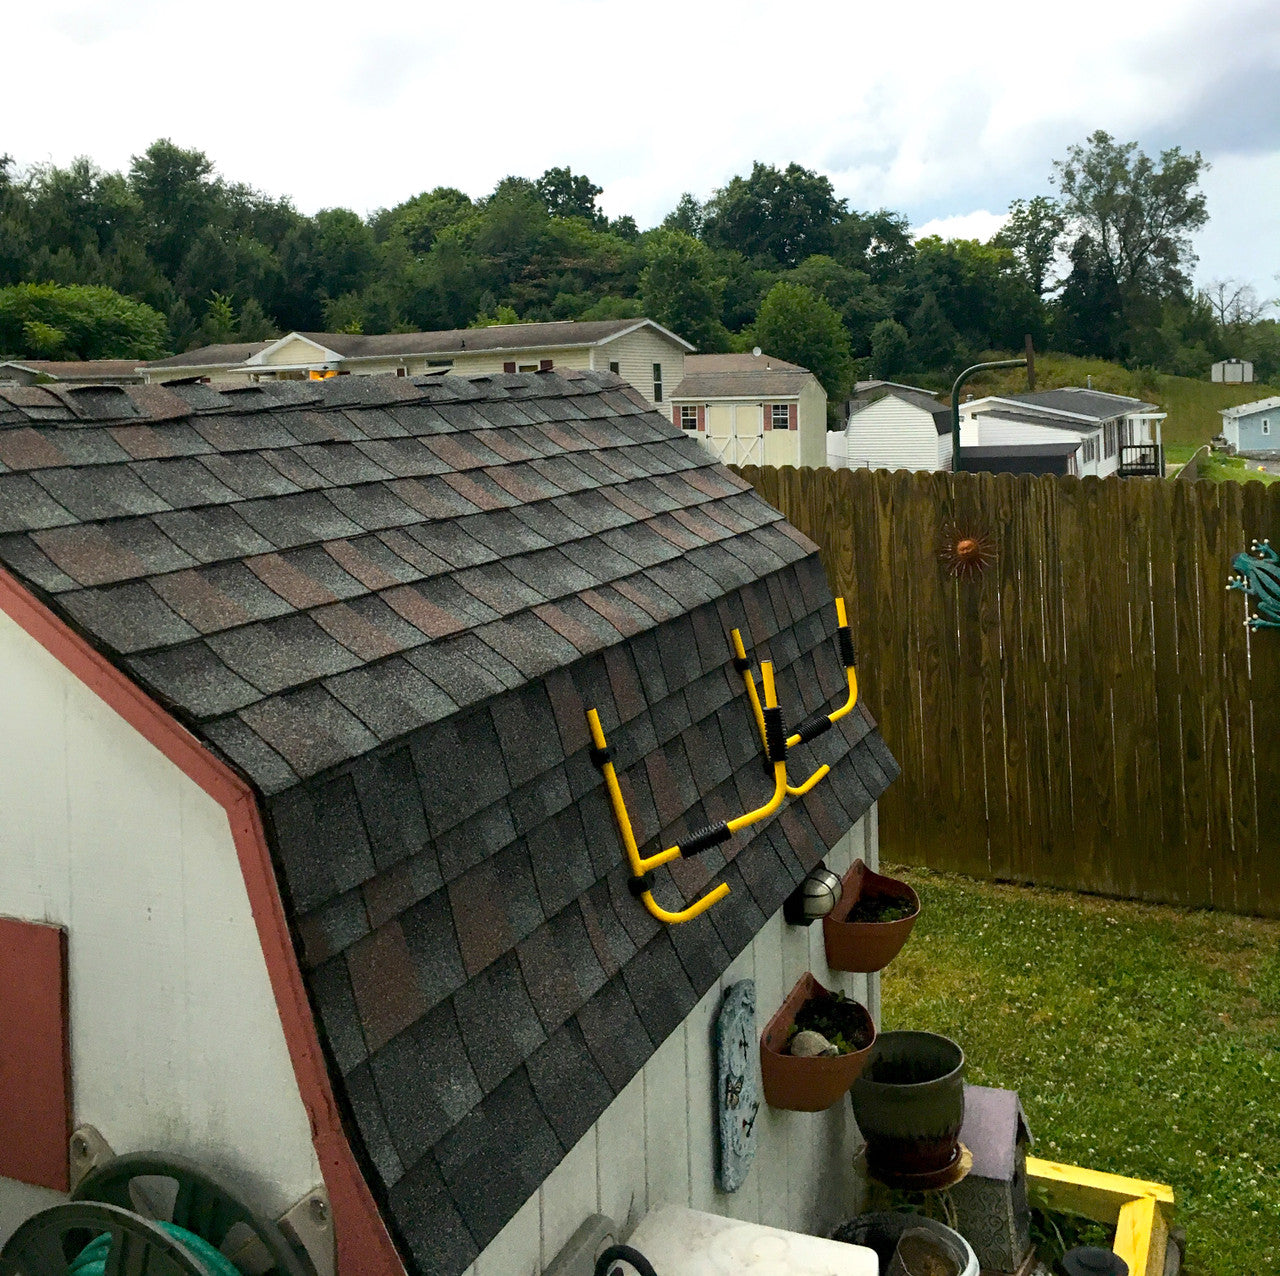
(656, 1144)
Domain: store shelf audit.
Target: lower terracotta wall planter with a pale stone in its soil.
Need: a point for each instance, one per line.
(811, 1083)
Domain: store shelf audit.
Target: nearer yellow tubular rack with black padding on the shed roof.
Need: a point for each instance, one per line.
(642, 870)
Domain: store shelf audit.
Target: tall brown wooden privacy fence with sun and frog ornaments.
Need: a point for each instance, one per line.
(1090, 712)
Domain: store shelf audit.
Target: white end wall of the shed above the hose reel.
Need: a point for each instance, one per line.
(175, 1033)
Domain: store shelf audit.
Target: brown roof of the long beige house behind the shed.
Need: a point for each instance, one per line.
(496, 339)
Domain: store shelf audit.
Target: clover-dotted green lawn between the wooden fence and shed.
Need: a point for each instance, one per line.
(1142, 1040)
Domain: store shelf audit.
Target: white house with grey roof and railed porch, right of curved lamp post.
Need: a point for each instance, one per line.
(1117, 435)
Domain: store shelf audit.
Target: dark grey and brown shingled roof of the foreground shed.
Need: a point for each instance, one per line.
(388, 603)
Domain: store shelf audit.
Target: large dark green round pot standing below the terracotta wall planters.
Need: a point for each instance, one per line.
(909, 1104)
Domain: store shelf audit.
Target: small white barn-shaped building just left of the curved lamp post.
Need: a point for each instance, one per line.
(893, 427)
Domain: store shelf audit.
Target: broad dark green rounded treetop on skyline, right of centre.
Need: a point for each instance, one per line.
(781, 214)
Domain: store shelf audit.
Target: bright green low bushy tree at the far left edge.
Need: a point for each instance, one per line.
(93, 323)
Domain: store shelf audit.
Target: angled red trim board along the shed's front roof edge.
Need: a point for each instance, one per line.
(364, 1245)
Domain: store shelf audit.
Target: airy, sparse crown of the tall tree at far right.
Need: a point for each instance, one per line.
(1139, 214)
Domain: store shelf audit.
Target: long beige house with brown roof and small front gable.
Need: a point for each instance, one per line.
(637, 350)
